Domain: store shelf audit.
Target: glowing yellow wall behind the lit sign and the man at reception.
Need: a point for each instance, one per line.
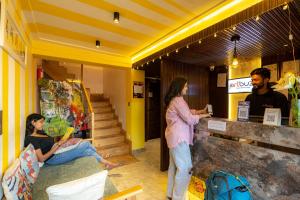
(243, 70)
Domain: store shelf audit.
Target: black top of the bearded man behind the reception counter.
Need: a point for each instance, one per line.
(271, 99)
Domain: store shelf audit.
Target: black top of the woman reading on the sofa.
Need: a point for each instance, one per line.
(43, 143)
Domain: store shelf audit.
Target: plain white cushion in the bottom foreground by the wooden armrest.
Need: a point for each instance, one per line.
(91, 187)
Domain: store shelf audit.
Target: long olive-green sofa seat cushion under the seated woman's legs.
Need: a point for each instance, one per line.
(70, 171)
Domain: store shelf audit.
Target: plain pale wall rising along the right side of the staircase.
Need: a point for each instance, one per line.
(114, 87)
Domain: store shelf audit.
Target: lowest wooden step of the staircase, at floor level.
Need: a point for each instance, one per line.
(115, 150)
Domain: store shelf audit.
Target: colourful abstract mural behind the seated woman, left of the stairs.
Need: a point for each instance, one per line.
(61, 103)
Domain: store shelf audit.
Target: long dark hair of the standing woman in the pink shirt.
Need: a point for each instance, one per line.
(175, 89)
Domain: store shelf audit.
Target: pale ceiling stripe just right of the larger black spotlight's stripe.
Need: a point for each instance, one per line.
(140, 10)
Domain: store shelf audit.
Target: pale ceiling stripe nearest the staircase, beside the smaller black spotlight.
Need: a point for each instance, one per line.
(82, 28)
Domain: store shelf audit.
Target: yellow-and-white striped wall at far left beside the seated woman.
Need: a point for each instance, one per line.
(18, 96)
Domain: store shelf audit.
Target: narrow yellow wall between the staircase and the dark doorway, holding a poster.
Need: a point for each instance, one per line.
(135, 111)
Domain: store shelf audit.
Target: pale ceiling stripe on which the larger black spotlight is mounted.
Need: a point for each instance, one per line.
(101, 15)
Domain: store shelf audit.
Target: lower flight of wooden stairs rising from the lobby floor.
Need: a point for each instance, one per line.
(109, 137)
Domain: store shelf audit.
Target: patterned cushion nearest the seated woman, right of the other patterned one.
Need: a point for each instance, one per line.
(29, 163)
